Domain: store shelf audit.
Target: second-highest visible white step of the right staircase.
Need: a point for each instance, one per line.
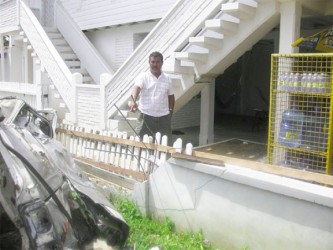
(227, 25)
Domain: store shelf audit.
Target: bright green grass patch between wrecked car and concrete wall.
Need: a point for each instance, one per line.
(146, 233)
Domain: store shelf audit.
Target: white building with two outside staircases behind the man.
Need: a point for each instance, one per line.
(80, 57)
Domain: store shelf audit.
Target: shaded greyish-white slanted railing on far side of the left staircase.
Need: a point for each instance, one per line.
(89, 56)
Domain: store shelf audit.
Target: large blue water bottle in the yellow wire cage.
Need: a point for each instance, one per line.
(291, 126)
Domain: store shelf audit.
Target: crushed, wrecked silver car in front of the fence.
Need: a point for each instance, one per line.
(46, 202)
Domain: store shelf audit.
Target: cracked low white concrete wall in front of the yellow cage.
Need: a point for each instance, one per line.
(238, 207)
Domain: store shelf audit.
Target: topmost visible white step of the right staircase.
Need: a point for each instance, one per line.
(239, 10)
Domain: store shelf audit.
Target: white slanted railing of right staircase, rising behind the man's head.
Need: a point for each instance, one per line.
(169, 35)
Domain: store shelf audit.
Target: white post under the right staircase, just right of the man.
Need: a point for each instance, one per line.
(207, 114)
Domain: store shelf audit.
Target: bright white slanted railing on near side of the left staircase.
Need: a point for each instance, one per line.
(47, 53)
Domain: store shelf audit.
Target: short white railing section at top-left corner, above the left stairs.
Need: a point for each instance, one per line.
(8, 16)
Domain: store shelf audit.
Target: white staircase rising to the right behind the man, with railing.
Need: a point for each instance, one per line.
(196, 55)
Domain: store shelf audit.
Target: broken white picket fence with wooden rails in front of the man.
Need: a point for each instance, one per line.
(118, 152)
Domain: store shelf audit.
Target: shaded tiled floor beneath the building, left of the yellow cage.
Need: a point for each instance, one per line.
(233, 136)
